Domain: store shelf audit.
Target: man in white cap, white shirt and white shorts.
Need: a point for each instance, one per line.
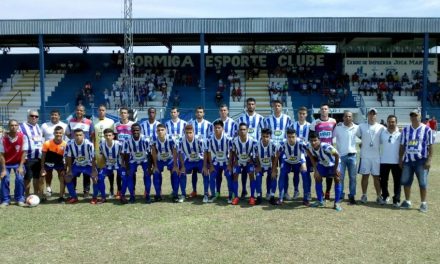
(369, 163)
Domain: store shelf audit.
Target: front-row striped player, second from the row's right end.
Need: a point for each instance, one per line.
(293, 160)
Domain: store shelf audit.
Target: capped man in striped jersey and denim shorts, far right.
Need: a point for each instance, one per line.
(416, 150)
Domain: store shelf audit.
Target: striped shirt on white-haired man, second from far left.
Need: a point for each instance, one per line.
(34, 138)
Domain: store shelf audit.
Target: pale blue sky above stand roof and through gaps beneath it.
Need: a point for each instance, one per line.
(57, 9)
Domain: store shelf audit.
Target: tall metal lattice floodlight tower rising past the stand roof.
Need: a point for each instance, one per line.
(128, 51)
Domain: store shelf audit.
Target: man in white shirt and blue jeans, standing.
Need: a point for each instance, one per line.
(345, 135)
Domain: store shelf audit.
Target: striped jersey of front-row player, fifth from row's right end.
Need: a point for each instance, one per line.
(219, 149)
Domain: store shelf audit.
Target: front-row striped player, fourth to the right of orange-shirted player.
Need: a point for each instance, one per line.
(164, 154)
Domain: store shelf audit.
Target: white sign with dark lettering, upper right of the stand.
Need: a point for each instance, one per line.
(411, 66)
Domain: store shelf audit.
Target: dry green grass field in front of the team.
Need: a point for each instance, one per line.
(194, 232)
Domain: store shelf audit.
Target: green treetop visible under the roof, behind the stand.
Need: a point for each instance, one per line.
(263, 49)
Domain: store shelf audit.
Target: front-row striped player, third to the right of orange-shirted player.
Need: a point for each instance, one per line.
(136, 149)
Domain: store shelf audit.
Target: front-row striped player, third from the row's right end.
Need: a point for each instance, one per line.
(266, 158)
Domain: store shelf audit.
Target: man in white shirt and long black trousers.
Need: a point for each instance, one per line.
(389, 160)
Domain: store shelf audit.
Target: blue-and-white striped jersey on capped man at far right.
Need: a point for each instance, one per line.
(416, 142)
